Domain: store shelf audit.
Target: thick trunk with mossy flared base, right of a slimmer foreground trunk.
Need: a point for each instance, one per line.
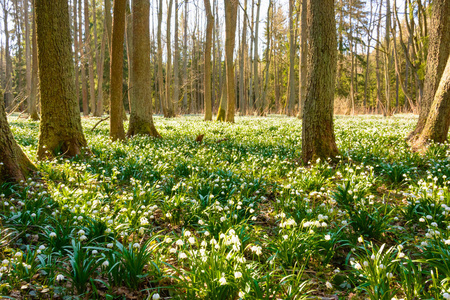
(141, 120)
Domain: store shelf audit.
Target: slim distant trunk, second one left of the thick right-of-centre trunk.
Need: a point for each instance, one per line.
(291, 84)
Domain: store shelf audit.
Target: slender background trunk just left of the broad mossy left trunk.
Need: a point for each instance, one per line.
(34, 71)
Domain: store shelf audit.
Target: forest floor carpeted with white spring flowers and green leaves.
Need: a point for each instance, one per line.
(235, 216)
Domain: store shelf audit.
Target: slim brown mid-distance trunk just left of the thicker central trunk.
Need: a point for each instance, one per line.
(207, 66)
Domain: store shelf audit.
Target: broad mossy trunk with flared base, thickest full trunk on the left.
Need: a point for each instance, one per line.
(60, 131)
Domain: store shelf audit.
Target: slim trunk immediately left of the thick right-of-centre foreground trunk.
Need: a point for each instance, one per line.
(303, 57)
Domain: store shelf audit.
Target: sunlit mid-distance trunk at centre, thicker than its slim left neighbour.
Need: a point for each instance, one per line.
(230, 23)
